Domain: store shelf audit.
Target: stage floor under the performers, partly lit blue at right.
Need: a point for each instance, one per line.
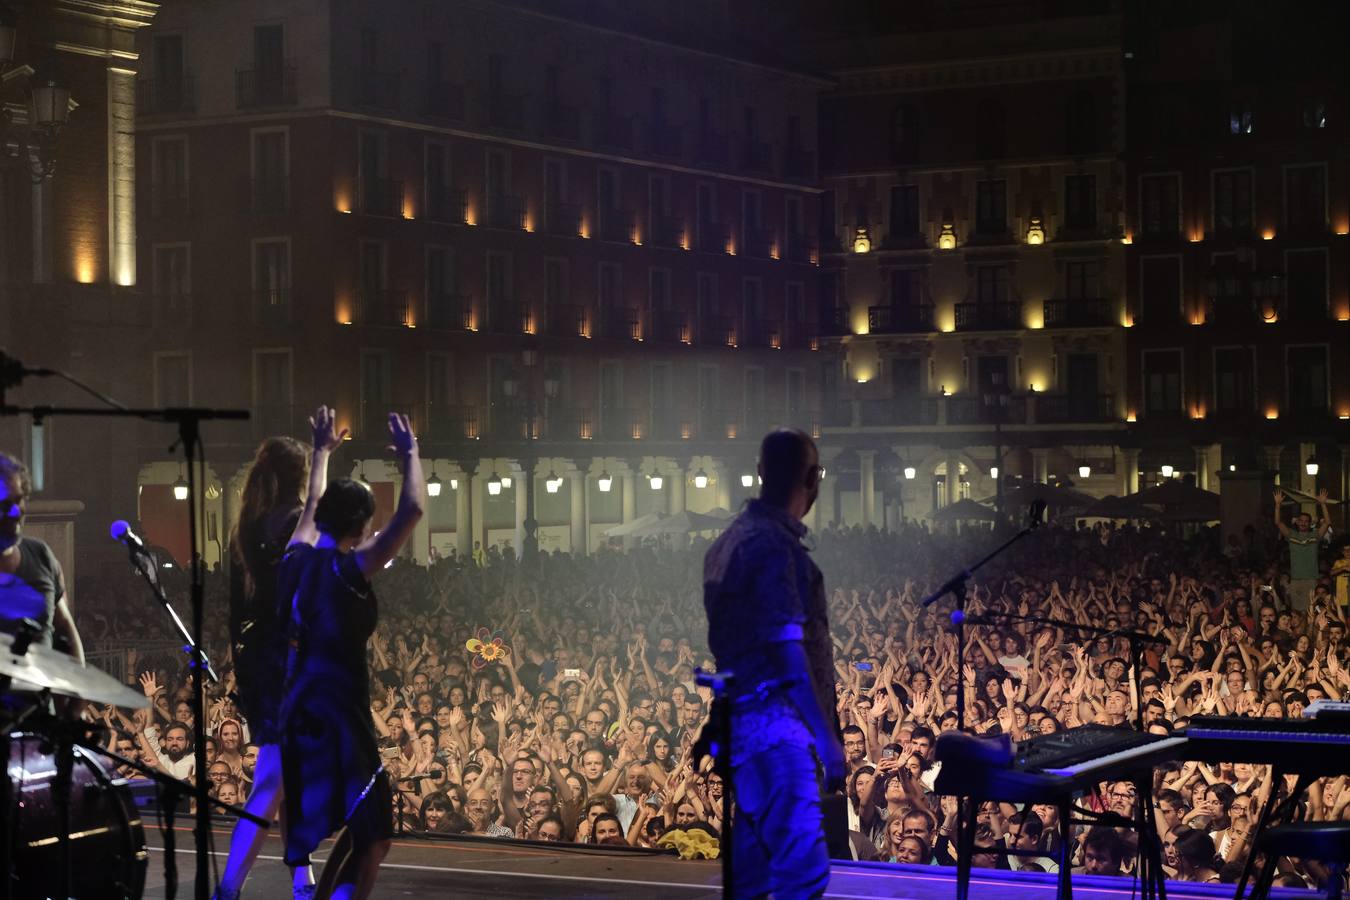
(485, 870)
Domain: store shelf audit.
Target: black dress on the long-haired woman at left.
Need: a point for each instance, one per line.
(259, 629)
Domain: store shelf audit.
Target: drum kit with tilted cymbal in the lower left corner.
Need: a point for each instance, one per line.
(68, 821)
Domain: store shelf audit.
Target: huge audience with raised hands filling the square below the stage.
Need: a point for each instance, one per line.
(556, 700)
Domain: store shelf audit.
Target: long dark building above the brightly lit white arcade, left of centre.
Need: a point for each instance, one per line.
(583, 258)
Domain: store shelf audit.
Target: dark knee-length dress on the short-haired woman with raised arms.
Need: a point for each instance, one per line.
(330, 758)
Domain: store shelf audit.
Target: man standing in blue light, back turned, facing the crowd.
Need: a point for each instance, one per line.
(767, 623)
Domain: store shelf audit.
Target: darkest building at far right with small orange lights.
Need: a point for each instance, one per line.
(1237, 266)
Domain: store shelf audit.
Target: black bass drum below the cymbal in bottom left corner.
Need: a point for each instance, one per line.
(109, 853)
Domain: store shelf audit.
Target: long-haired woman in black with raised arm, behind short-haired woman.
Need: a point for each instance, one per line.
(284, 473)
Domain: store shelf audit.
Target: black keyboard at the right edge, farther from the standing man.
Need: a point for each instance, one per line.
(1295, 746)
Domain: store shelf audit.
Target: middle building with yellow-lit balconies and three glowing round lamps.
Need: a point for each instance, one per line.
(974, 219)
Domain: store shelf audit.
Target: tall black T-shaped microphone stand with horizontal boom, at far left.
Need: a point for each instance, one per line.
(190, 439)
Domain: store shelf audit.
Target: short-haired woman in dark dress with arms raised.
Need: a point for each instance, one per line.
(330, 758)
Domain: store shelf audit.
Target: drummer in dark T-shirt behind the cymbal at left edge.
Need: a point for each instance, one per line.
(32, 585)
